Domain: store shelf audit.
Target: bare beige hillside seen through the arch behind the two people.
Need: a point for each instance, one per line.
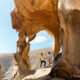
(35, 57)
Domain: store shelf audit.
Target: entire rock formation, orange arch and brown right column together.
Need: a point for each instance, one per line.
(32, 16)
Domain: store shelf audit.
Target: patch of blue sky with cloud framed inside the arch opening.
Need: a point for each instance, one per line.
(42, 40)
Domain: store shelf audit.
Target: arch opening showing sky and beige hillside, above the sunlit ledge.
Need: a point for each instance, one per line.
(42, 43)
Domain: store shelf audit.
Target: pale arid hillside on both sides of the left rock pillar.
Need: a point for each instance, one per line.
(7, 61)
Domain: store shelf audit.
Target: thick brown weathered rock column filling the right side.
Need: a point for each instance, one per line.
(69, 15)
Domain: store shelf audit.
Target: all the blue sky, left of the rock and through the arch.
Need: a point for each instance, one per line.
(9, 36)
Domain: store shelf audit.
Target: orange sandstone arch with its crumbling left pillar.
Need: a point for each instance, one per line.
(30, 17)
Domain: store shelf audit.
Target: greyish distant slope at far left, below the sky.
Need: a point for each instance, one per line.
(6, 60)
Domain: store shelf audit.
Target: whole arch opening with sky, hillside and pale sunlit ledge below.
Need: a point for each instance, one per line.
(42, 43)
